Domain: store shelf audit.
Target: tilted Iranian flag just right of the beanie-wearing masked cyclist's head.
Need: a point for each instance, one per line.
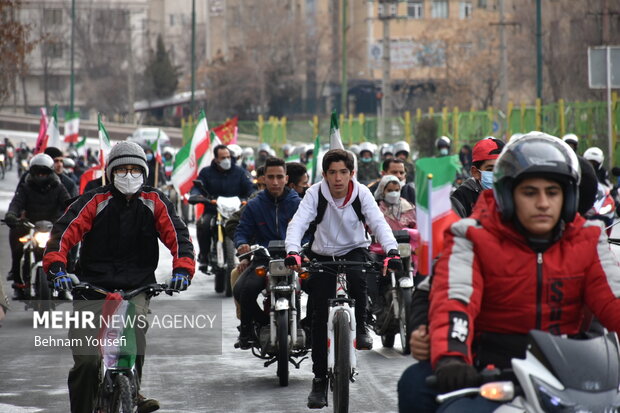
(186, 160)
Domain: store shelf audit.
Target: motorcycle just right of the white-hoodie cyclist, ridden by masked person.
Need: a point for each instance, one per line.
(393, 306)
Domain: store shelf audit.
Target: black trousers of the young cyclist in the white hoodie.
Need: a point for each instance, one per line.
(322, 287)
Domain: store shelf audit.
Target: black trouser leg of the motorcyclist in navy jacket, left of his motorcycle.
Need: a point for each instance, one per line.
(246, 291)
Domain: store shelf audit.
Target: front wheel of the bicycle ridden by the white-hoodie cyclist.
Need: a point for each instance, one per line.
(342, 362)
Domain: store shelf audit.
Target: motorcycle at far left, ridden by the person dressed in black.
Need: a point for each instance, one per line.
(32, 280)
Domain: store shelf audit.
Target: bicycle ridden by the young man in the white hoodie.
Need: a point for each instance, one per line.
(341, 329)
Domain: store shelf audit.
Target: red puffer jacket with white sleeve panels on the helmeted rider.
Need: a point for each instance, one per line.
(488, 280)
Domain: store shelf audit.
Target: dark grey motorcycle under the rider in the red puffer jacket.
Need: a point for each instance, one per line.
(557, 375)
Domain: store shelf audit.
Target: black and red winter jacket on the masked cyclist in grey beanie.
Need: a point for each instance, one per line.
(120, 237)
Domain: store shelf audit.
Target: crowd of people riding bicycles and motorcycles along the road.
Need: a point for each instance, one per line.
(523, 205)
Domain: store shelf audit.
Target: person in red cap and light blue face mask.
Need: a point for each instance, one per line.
(485, 154)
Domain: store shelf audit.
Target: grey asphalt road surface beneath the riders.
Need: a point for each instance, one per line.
(186, 372)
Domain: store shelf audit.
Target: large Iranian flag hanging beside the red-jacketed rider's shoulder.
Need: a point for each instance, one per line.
(434, 177)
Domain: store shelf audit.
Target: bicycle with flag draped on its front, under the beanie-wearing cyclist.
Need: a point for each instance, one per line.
(118, 387)
